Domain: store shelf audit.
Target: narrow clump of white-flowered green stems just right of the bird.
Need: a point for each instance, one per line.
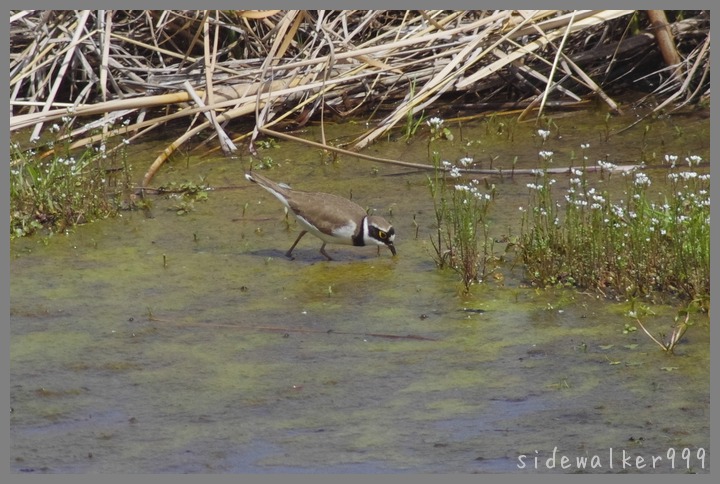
(461, 241)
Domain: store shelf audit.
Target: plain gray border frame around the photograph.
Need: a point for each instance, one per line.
(7, 477)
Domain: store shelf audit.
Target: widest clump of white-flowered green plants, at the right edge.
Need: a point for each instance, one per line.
(634, 245)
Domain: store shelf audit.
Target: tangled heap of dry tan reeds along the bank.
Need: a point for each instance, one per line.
(271, 67)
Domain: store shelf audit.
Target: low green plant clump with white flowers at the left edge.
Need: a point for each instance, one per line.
(66, 188)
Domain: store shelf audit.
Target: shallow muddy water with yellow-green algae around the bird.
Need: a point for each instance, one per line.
(173, 343)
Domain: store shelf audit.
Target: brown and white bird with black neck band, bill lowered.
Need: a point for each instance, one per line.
(331, 218)
